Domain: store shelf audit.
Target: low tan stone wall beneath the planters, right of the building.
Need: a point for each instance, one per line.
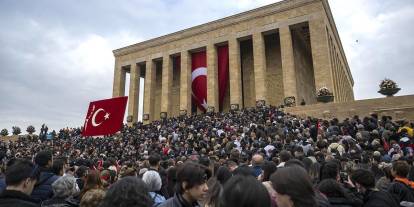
(399, 107)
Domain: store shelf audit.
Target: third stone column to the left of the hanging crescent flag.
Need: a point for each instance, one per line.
(149, 91)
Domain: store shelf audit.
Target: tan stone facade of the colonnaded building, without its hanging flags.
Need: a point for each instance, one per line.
(289, 48)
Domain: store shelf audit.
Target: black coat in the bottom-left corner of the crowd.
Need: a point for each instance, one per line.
(16, 199)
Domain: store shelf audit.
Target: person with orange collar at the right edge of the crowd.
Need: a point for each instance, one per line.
(401, 188)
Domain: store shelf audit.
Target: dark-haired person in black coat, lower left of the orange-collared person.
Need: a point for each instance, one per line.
(364, 181)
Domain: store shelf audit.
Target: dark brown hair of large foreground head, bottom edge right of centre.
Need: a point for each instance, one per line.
(294, 182)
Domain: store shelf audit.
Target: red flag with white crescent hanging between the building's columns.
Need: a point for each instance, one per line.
(199, 79)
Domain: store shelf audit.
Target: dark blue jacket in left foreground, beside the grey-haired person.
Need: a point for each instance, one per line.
(43, 188)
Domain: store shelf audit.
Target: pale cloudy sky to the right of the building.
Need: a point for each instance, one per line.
(384, 47)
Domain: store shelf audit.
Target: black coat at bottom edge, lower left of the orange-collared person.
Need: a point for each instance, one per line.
(379, 199)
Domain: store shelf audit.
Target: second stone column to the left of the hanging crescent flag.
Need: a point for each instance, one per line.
(166, 85)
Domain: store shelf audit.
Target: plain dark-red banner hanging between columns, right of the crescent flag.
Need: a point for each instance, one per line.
(223, 71)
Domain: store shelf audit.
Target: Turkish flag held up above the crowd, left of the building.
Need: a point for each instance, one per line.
(105, 117)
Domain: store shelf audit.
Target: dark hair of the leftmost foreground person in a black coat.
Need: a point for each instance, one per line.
(20, 171)
